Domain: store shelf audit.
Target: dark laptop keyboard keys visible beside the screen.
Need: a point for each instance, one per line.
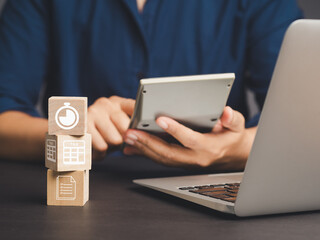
(227, 192)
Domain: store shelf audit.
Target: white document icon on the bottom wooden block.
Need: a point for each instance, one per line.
(66, 188)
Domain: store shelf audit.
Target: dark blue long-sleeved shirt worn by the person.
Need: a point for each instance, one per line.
(102, 48)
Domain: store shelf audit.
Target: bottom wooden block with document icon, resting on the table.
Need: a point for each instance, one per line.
(67, 188)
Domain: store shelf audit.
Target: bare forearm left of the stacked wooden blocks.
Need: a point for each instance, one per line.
(22, 136)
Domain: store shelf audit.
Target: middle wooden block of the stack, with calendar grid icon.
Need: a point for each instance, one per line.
(68, 153)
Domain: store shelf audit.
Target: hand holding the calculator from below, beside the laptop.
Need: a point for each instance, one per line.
(226, 147)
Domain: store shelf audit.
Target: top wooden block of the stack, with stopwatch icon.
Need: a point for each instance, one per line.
(67, 115)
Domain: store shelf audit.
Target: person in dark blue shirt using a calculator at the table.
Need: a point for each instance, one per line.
(101, 49)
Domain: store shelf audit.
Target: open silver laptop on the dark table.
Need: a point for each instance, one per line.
(282, 173)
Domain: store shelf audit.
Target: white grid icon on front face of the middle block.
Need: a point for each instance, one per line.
(73, 152)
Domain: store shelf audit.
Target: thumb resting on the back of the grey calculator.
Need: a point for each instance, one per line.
(186, 136)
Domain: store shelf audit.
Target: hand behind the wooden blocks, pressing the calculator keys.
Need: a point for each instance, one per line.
(108, 120)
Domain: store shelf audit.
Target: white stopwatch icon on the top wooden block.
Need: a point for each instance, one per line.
(67, 117)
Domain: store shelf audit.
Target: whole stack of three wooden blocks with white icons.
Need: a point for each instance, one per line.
(68, 152)
